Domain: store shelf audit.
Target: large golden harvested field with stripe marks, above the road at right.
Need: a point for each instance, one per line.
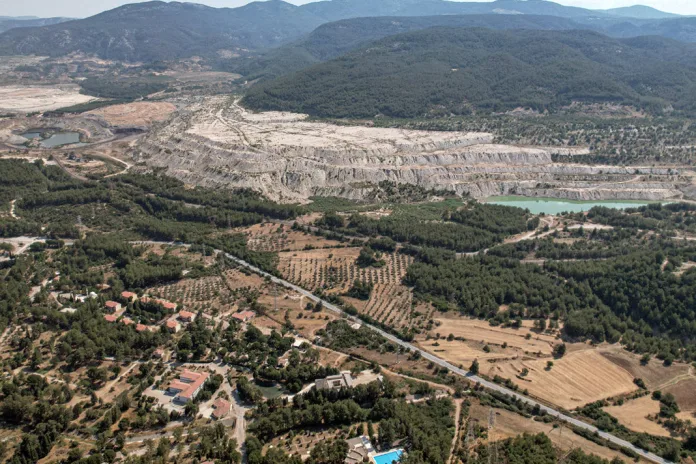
(576, 379)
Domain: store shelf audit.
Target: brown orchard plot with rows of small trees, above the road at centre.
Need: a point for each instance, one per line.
(335, 269)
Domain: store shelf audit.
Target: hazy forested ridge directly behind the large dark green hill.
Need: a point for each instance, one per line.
(337, 38)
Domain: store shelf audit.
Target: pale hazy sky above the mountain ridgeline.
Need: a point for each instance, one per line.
(83, 8)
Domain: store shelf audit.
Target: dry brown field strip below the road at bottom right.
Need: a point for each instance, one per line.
(509, 424)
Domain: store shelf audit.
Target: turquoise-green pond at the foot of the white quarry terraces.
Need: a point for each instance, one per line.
(555, 206)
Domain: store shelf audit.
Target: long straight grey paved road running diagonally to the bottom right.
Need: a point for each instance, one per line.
(454, 369)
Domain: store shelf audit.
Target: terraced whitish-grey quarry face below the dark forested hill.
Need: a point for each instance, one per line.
(288, 158)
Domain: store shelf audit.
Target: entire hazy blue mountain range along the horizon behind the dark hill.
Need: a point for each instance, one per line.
(161, 31)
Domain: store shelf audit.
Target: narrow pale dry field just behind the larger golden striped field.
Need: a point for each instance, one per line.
(481, 331)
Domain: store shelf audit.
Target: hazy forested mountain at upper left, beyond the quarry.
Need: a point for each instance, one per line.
(154, 31)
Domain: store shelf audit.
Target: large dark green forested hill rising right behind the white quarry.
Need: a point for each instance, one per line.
(455, 70)
